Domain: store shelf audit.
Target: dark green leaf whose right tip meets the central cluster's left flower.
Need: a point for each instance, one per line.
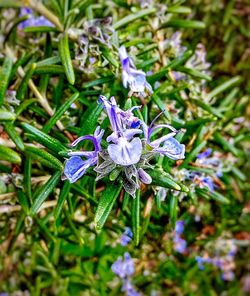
(44, 157)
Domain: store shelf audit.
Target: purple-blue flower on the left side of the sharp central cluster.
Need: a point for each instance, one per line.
(75, 166)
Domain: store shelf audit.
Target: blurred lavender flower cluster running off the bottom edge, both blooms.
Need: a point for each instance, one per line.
(125, 269)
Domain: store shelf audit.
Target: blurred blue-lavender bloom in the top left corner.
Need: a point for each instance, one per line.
(32, 20)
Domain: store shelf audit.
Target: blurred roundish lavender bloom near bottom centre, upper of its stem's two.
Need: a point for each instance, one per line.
(123, 268)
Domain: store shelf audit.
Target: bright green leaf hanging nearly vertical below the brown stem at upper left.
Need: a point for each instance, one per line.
(65, 58)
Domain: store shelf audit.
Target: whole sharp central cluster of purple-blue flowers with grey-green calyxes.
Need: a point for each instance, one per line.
(131, 145)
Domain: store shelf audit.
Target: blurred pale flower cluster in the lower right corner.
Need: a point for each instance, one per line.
(223, 258)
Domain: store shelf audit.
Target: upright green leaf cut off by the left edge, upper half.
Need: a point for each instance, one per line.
(5, 72)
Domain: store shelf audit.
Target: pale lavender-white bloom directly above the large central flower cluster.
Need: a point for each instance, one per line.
(131, 77)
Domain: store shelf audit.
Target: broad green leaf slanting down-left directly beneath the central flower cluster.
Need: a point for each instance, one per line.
(106, 203)
